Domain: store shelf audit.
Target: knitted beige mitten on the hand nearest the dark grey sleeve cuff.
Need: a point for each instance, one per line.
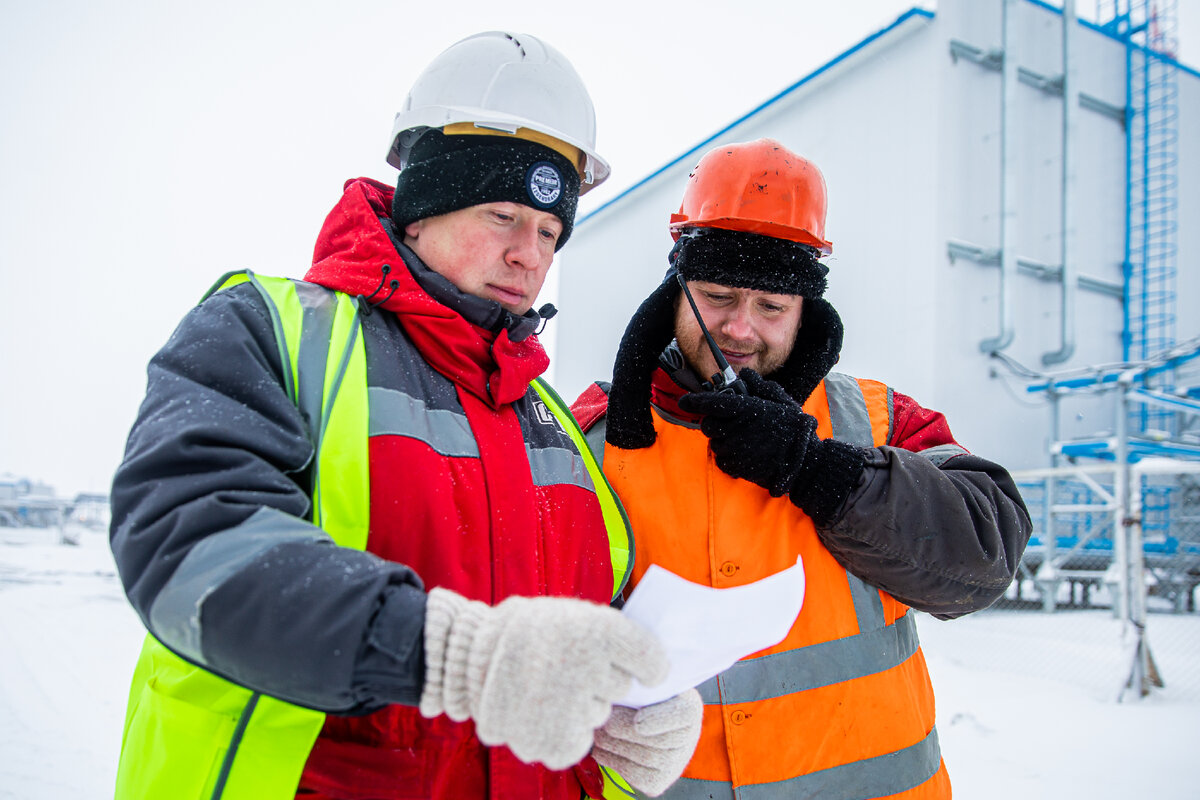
(538, 675)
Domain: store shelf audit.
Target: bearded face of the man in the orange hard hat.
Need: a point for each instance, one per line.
(753, 329)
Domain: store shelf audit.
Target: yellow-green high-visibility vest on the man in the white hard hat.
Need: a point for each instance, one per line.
(191, 735)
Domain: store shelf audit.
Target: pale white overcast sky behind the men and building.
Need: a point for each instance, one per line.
(148, 147)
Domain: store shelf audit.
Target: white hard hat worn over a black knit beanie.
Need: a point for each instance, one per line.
(505, 83)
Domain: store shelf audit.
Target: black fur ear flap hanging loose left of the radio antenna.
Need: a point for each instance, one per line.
(651, 330)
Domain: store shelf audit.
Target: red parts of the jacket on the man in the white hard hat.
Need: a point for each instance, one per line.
(478, 526)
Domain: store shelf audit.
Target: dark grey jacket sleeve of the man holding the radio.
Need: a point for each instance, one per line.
(944, 538)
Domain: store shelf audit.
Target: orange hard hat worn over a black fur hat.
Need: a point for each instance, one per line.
(759, 188)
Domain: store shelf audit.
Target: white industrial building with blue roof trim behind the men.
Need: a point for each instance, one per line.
(926, 135)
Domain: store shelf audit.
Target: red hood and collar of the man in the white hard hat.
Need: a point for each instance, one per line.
(489, 356)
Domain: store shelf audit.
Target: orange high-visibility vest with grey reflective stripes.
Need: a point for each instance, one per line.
(843, 708)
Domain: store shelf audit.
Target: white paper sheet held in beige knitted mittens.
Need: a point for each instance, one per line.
(707, 630)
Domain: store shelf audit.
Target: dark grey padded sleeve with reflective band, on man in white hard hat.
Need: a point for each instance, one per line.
(211, 537)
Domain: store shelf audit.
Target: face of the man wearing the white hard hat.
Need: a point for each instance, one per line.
(497, 251)
